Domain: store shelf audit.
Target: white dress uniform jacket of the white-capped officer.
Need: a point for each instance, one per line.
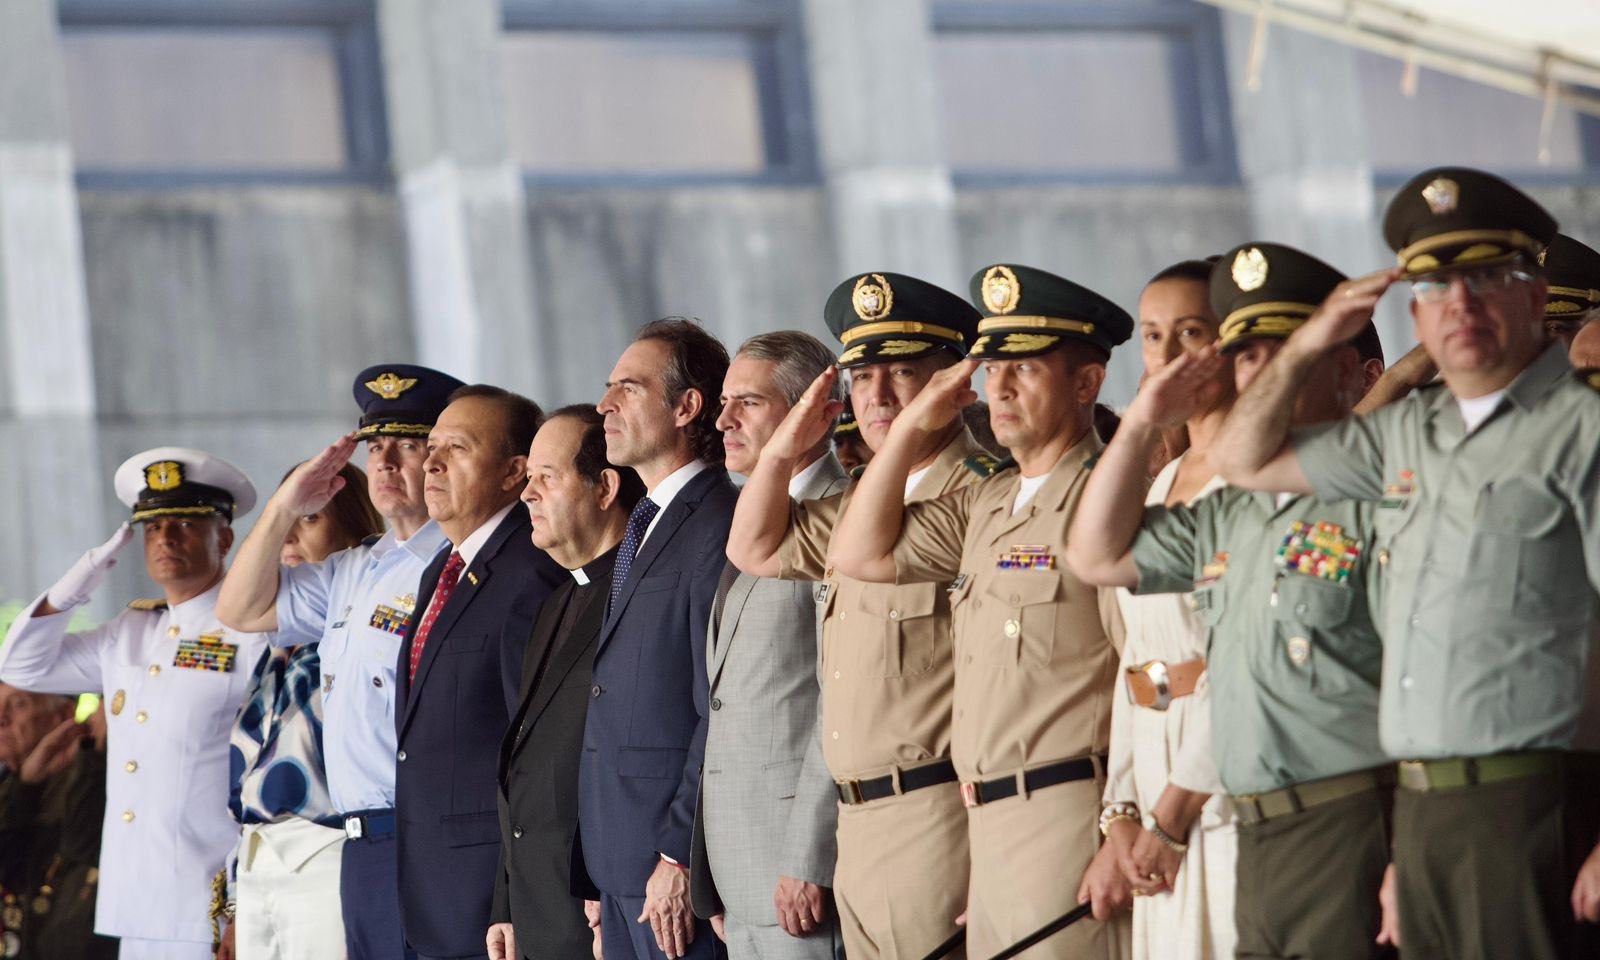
(174, 681)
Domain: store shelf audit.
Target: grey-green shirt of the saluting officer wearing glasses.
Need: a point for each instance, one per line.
(1494, 561)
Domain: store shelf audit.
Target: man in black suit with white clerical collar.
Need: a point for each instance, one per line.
(578, 505)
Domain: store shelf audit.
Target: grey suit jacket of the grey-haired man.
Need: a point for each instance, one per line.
(769, 806)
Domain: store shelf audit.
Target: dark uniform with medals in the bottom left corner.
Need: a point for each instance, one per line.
(50, 838)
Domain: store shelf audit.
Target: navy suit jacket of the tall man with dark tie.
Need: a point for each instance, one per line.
(646, 734)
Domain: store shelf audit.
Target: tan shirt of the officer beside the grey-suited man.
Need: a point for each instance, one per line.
(887, 662)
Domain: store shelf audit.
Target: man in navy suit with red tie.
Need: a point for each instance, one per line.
(458, 678)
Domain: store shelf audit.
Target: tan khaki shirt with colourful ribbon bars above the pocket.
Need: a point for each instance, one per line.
(1038, 650)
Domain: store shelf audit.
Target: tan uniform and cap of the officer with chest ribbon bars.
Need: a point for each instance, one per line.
(1036, 649)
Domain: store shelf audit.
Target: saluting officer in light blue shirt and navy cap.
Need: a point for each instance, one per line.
(356, 606)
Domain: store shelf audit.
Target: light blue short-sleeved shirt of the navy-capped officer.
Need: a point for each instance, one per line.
(356, 606)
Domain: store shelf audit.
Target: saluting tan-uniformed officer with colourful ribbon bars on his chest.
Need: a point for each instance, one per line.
(1036, 649)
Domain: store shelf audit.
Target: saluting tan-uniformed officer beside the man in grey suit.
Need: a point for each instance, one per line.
(887, 660)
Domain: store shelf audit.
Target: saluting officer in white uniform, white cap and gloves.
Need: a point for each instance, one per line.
(174, 678)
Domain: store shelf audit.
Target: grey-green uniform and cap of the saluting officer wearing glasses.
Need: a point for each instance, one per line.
(1489, 538)
